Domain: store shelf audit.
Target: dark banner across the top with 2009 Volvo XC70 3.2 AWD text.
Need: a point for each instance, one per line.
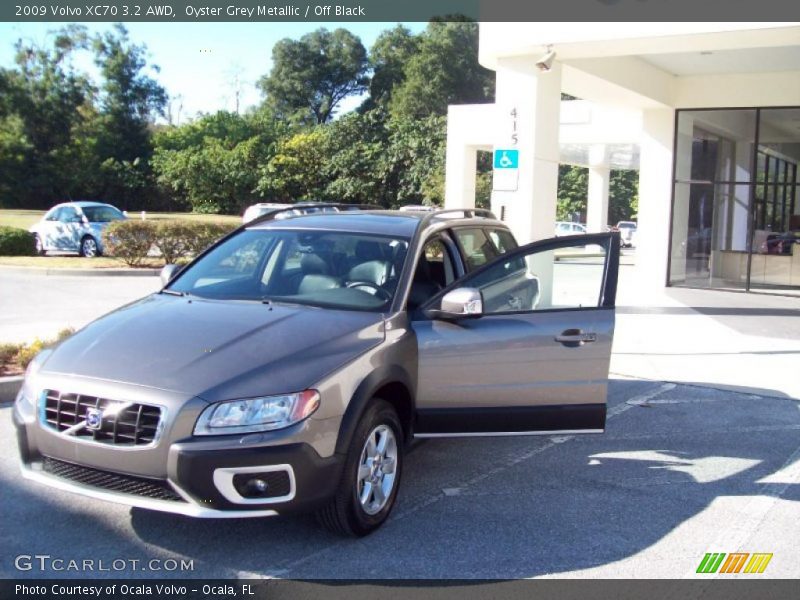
(395, 10)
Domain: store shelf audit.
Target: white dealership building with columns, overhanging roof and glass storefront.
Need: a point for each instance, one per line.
(708, 113)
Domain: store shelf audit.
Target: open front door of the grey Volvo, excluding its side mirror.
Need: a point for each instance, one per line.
(537, 358)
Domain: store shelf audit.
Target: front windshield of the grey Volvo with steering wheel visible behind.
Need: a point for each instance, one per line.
(353, 271)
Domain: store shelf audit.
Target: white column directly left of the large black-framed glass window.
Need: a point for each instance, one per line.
(655, 195)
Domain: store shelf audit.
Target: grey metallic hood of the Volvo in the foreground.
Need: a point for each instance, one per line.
(216, 350)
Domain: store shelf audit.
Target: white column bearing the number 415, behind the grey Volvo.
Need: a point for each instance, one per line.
(530, 211)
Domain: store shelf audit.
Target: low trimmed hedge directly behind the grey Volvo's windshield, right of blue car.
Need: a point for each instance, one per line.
(133, 241)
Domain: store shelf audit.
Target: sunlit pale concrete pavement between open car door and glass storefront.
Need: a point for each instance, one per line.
(745, 342)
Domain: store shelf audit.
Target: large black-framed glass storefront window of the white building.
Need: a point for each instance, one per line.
(735, 199)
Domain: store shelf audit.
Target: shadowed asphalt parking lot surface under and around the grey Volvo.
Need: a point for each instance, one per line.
(681, 471)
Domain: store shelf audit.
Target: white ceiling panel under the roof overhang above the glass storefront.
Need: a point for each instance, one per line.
(747, 60)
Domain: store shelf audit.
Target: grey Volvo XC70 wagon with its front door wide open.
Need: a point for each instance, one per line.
(288, 367)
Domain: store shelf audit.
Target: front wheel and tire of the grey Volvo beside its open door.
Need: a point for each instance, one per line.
(368, 489)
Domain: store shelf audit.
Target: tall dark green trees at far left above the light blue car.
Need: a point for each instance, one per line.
(62, 138)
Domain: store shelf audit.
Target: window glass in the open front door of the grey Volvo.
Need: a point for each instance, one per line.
(567, 277)
